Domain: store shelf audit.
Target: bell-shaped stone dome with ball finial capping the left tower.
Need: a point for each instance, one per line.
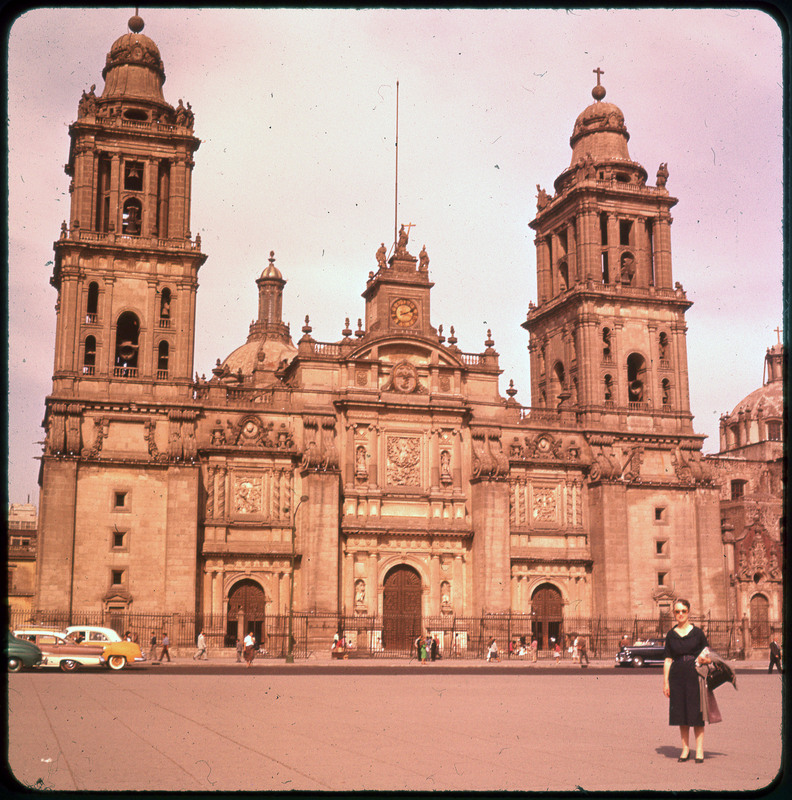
(134, 67)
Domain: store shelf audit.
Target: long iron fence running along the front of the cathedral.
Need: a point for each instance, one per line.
(395, 636)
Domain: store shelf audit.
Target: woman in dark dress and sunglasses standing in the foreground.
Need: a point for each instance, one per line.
(683, 650)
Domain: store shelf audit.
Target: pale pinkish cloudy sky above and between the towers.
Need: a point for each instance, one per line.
(296, 112)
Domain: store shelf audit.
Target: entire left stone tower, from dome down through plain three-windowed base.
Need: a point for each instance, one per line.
(119, 482)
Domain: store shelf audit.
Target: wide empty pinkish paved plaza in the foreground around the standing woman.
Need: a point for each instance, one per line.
(348, 727)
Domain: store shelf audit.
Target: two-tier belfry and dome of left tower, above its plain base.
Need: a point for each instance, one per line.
(125, 264)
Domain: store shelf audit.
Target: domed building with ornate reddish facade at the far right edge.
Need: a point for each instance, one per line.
(750, 471)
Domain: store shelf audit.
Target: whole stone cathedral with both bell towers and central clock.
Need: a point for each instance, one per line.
(386, 469)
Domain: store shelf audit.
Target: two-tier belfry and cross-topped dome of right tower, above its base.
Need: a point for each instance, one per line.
(608, 330)
